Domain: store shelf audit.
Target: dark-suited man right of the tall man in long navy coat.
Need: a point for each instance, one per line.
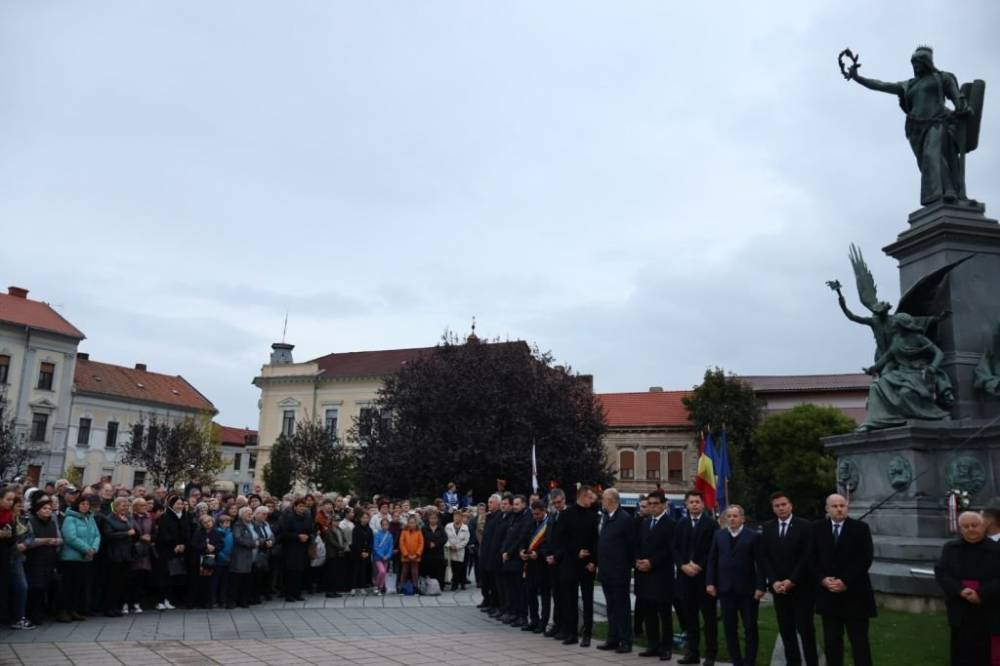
(654, 577)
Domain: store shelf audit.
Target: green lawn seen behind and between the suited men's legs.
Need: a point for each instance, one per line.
(897, 638)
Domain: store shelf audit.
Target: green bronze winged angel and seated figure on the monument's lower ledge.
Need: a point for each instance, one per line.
(910, 384)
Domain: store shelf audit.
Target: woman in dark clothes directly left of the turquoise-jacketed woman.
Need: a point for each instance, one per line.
(42, 560)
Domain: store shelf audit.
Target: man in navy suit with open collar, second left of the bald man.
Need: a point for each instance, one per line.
(736, 577)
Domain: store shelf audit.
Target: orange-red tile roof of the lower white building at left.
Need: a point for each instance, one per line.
(138, 385)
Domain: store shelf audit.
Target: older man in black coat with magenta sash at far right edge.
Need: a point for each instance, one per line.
(969, 574)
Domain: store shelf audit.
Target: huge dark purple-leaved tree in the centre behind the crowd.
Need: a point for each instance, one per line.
(469, 412)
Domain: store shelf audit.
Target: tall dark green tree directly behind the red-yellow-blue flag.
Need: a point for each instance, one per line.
(723, 400)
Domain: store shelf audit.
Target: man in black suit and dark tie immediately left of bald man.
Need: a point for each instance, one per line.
(785, 546)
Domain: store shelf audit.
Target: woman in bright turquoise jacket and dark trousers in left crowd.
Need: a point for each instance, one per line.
(81, 540)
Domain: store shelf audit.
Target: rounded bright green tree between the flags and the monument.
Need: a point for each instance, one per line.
(793, 459)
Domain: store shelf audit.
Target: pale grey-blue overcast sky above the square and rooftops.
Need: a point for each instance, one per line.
(644, 188)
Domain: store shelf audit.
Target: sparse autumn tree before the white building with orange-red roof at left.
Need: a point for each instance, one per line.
(175, 451)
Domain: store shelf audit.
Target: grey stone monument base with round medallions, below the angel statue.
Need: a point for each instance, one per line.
(898, 480)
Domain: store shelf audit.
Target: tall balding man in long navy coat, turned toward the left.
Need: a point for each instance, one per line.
(615, 559)
